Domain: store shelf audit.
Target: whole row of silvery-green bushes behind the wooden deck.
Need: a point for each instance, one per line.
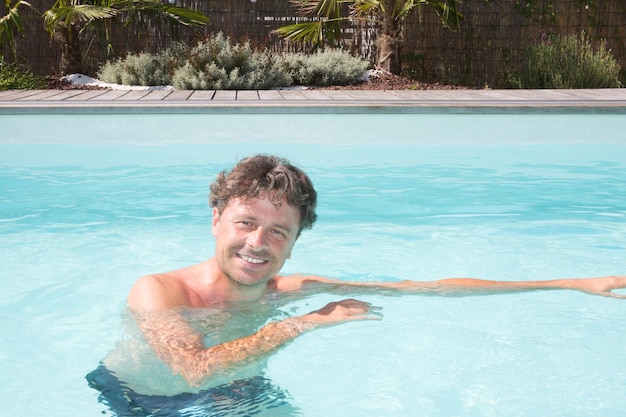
(218, 64)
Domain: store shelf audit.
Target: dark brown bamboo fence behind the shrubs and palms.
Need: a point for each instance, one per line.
(485, 50)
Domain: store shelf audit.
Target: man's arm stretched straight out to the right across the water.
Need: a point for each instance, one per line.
(456, 286)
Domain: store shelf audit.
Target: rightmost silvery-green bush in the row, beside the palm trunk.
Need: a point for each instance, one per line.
(329, 67)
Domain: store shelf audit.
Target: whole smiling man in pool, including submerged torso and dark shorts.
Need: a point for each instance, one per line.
(207, 330)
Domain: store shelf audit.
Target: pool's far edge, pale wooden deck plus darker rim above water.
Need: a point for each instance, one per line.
(317, 101)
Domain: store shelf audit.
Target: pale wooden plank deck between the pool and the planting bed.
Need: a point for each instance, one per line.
(610, 98)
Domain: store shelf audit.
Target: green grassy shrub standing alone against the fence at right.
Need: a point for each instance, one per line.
(568, 62)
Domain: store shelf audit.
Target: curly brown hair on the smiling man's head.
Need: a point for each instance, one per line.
(261, 174)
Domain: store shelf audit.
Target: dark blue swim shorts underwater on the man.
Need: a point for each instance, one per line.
(255, 396)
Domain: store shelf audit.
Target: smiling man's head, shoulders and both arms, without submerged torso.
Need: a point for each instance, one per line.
(259, 210)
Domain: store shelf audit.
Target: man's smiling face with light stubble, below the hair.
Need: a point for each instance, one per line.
(254, 239)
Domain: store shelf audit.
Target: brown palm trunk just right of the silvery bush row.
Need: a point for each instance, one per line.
(389, 41)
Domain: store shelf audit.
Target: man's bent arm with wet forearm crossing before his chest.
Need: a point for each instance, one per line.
(182, 348)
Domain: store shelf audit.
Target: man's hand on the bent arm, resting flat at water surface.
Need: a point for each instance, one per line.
(341, 311)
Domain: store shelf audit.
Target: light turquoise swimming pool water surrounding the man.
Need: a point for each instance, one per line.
(91, 201)
